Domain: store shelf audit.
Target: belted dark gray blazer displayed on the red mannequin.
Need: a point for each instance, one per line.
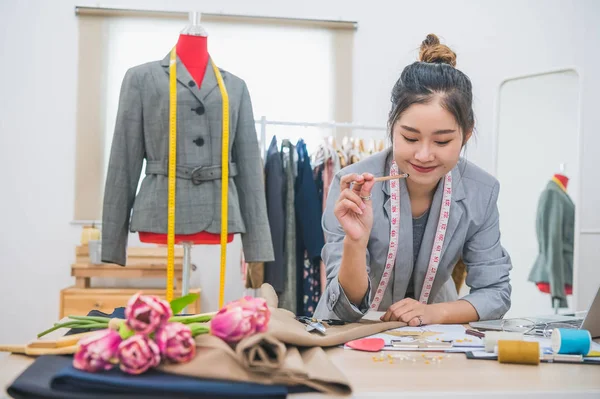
(142, 132)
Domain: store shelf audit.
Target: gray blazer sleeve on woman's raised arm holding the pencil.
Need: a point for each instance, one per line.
(334, 303)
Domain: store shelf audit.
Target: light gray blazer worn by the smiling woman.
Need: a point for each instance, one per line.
(473, 234)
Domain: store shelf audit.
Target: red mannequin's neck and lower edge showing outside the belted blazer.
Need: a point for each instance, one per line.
(192, 50)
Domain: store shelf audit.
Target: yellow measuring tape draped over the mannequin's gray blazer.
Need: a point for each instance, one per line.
(172, 177)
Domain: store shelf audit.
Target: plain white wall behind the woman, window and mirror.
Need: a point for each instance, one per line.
(37, 104)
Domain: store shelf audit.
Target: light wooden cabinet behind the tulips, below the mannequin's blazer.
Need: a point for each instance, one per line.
(142, 262)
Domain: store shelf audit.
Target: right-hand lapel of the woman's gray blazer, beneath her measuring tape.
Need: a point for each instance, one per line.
(456, 213)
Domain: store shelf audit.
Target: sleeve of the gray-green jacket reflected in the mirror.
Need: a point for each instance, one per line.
(551, 226)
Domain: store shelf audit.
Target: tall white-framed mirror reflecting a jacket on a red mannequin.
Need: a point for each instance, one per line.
(538, 139)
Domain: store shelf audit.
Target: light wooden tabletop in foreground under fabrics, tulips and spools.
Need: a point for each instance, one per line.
(455, 376)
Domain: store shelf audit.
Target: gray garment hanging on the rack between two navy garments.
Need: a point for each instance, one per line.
(289, 298)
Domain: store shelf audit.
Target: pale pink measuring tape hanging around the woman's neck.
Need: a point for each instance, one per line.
(438, 244)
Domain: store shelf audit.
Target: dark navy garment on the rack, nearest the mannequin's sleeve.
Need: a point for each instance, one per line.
(274, 272)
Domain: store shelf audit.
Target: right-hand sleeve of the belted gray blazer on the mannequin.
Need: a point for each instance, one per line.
(251, 187)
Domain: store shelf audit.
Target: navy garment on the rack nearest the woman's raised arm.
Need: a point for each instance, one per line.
(309, 238)
